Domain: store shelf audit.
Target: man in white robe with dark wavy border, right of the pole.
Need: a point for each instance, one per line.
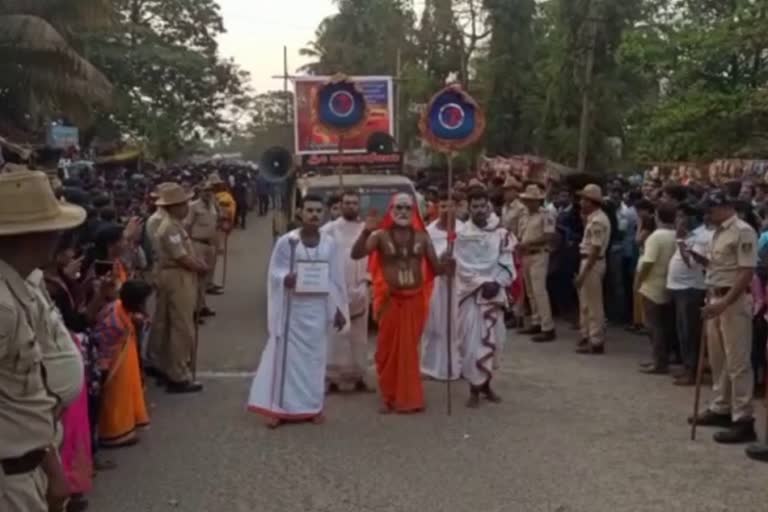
(485, 268)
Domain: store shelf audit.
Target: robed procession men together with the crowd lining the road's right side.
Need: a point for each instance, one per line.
(445, 281)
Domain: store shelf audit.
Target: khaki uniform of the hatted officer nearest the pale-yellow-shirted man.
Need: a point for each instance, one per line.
(597, 233)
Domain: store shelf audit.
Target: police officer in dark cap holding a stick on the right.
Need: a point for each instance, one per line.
(730, 267)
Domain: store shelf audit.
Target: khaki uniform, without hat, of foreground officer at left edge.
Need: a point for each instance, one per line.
(27, 408)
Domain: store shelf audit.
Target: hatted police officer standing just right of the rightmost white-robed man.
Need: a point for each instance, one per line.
(536, 235)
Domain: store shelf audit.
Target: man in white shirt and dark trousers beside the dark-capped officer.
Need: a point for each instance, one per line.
(685, 282)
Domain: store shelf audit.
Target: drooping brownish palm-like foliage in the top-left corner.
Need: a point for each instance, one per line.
(44, 75)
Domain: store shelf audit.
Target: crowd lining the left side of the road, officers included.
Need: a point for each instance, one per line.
(103, 277)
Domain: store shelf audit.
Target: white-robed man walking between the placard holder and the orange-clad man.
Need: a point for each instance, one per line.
(348, 351)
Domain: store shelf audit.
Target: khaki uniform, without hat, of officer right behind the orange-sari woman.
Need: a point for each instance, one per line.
(173, 330)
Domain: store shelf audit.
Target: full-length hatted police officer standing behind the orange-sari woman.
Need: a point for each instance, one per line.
(177, 272)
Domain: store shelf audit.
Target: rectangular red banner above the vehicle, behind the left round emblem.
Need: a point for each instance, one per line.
(313, 137)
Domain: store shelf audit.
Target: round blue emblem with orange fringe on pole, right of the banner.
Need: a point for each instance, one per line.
(452, 120)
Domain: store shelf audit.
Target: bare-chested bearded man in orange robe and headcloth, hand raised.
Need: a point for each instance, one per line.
(403, 264)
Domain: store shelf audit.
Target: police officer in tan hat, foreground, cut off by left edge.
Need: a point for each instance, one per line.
(31, 478)
